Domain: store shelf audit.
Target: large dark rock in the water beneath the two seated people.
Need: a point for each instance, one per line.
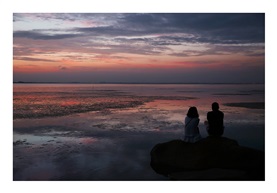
(212, 158)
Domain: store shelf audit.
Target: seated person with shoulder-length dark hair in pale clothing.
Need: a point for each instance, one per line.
(191, 131)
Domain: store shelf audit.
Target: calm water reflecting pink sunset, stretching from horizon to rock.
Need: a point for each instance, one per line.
(106, 131)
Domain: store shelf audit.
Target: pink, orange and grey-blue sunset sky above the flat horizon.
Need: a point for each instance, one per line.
(139, 47)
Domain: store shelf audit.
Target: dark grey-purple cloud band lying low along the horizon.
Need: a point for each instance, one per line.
(229, 74)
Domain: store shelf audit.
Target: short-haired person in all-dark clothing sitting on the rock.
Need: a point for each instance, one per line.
(215, 126)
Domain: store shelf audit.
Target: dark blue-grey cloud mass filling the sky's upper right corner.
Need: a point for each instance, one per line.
(209, 26)
